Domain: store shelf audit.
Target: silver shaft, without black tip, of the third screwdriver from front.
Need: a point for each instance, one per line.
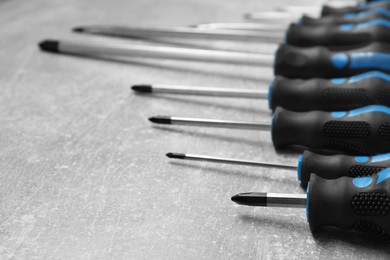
(219, 123)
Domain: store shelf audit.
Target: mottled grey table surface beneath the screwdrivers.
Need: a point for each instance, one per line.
(83, 173)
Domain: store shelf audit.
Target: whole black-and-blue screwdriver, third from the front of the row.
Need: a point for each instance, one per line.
(363, 131)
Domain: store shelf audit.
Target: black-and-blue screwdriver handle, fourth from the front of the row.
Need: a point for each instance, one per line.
(370, 88)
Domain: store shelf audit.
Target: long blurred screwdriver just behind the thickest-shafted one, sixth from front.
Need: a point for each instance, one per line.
(300, 35)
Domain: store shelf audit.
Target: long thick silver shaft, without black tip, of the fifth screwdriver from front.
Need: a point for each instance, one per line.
(126, 49)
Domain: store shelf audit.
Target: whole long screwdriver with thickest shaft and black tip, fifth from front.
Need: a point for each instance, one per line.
(289, 61)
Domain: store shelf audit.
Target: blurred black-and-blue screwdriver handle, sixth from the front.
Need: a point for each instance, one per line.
(339, 35)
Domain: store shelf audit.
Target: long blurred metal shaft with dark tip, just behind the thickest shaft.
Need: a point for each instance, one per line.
(185, 32)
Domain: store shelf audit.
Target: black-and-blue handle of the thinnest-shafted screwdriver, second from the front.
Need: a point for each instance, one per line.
(336, 166)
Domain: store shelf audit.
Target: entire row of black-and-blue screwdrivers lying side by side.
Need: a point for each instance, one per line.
(330, 99)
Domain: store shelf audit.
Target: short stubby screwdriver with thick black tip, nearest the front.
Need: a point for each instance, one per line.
(348, 203)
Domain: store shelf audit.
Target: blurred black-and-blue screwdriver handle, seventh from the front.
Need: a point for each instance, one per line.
(352, 18)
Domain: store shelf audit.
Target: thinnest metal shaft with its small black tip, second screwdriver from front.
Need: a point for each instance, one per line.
(195, 157)
